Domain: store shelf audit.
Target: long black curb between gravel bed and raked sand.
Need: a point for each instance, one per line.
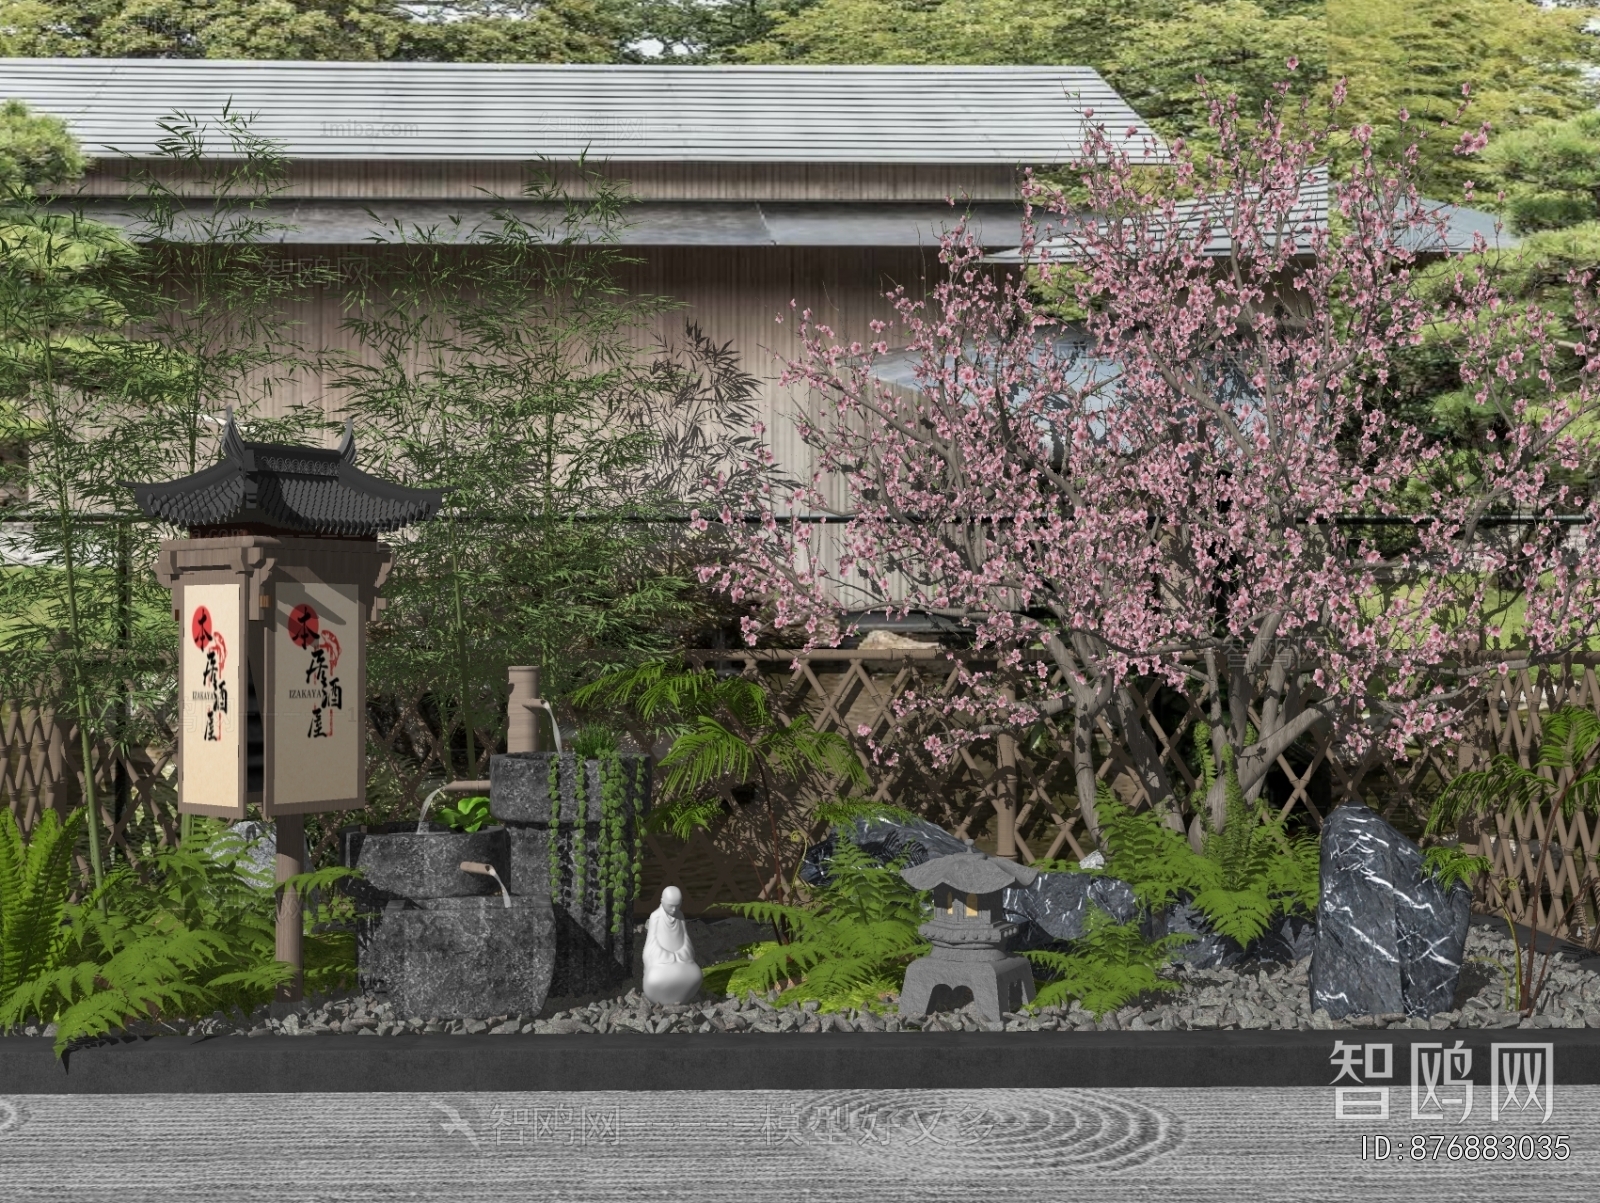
(783, 1061)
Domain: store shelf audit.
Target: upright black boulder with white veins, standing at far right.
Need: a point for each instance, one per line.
(1388, 937)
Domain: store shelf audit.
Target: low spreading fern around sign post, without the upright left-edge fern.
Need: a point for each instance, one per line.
(188, 933)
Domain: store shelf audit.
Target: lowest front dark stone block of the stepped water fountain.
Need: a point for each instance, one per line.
(462, 957)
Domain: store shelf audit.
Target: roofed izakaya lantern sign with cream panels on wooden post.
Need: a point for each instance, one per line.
(273, 591)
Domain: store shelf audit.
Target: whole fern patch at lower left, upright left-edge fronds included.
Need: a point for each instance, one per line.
(188, 933)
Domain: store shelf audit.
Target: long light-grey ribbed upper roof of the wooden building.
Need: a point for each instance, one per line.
(484, 111)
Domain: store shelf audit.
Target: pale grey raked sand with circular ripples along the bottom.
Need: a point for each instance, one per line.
(774, 1146)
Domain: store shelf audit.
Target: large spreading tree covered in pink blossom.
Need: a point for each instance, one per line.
(1202, 479)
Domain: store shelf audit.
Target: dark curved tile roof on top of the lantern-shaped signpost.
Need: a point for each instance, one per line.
(292, 490)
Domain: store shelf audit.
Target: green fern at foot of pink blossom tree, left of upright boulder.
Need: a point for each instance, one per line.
(1246, 874)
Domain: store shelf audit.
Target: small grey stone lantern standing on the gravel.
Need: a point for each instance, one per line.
(969, 935)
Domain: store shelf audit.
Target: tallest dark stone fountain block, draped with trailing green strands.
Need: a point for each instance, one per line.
(594, 927)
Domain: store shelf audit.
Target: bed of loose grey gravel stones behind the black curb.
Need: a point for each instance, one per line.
(1252, 997)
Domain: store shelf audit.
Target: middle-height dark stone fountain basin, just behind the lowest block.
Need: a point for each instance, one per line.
(414, 865)
